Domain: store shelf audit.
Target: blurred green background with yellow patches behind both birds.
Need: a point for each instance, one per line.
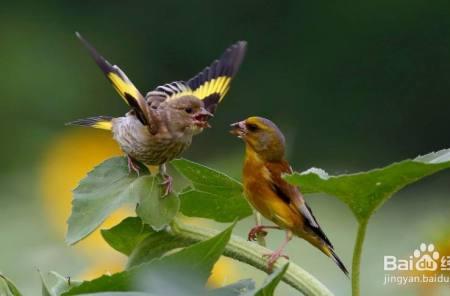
(353, 85)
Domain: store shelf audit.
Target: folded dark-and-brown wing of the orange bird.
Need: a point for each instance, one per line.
(292, 196)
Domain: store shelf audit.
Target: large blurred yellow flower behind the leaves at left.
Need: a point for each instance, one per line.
(68, 159)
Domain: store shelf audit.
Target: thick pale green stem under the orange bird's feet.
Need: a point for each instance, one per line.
(252, 254)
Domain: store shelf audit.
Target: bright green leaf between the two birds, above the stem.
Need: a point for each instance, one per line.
(213, 195)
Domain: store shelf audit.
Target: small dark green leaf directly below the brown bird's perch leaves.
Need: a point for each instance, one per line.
(125, 236)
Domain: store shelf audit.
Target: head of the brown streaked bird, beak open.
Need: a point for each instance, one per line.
(188, 114)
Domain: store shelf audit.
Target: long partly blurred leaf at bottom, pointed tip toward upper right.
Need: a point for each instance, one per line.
(185, 270)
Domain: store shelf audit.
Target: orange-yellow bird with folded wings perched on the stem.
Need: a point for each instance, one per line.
(267, 191)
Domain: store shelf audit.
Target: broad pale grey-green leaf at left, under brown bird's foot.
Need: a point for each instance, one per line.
(104, 190)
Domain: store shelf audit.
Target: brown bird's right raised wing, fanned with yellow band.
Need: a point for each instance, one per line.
(212, 83)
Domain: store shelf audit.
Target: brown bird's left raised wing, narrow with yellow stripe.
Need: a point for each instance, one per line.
(121, 83)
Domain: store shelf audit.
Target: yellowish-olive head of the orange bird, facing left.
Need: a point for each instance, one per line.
(261, 136)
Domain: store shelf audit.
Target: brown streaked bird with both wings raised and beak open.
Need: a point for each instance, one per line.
(160, 126)
